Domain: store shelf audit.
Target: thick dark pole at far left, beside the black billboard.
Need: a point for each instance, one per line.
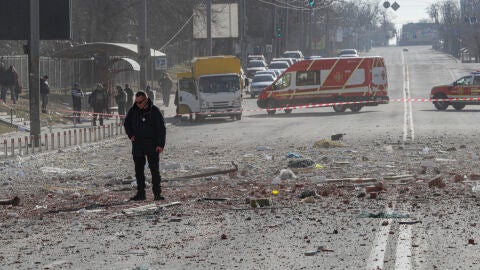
(34, 67)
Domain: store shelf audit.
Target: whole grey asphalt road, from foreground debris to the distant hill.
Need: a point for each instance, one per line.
(217, 235)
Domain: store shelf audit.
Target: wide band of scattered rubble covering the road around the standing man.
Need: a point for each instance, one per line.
(324, 183)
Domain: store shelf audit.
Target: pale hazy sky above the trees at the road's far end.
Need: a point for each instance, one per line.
(410, 10)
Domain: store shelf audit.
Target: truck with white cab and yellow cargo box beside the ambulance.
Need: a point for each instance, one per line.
(213, 88)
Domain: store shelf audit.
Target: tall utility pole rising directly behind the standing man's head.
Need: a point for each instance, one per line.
(142, 47)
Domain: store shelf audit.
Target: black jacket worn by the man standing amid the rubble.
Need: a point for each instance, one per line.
(148, 127)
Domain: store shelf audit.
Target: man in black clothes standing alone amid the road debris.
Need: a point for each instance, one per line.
(145, 128)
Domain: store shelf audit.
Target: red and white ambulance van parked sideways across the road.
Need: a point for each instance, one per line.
(337, 82)
